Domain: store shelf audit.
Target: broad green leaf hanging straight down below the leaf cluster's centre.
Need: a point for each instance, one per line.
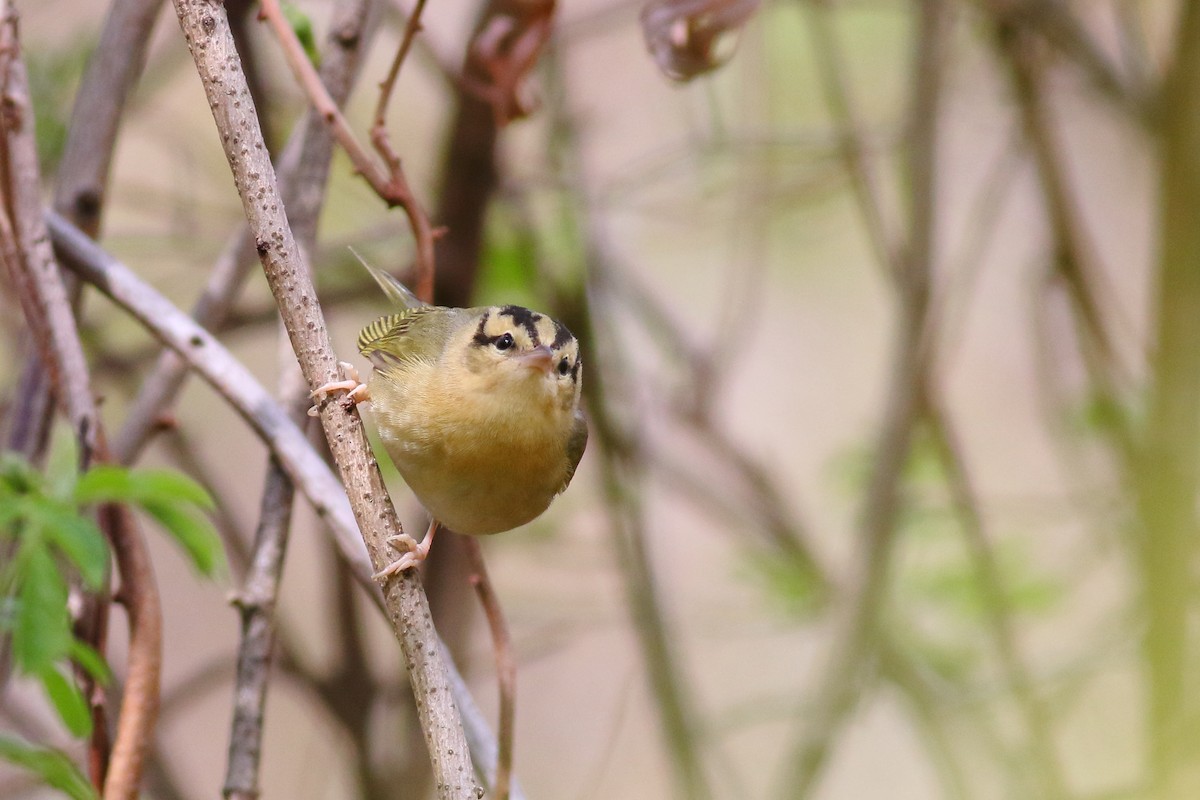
(43, 634)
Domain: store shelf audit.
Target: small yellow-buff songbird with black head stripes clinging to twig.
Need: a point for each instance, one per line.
(479, 410)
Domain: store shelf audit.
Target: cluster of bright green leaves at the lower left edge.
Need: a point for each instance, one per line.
(47, 537)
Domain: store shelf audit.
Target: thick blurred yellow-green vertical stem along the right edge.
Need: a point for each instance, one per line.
(1168, 473)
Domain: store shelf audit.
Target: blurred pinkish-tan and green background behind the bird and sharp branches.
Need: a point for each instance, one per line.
(892, 341)
